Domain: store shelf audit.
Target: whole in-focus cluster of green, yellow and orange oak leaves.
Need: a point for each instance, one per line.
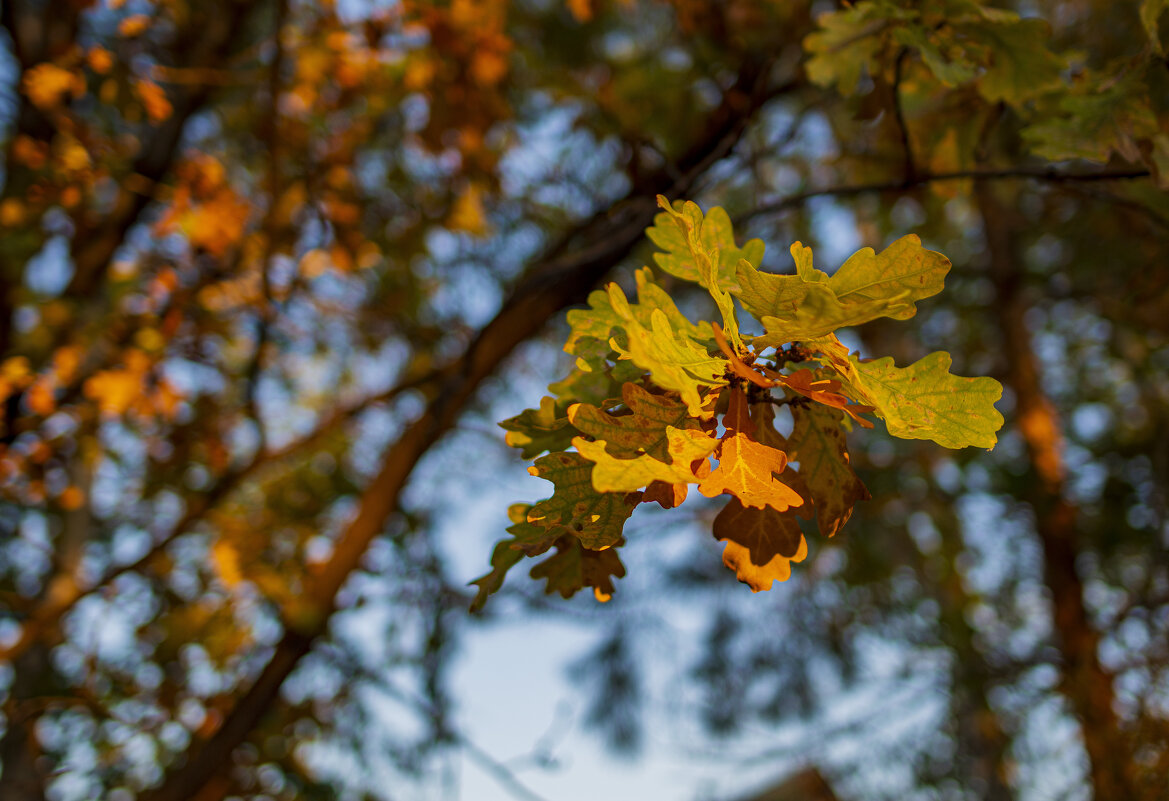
(655, 397)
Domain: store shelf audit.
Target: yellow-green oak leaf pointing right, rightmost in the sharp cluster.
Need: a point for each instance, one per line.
(925, 402)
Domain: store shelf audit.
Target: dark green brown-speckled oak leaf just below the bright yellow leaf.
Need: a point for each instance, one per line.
(576, 508)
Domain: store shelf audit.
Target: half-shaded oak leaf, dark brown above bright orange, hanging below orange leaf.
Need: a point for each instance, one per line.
(762, 543)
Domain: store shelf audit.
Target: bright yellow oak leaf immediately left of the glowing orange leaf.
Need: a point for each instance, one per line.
(626, 475)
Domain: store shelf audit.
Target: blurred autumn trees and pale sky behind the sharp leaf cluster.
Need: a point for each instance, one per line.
(273, 271)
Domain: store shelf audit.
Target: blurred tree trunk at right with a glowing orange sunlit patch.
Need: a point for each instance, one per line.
(1085, 682)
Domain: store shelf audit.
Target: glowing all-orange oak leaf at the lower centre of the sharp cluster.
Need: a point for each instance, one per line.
(746, 471)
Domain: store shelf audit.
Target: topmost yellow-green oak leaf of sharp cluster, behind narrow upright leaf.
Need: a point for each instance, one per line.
(716, 234)
